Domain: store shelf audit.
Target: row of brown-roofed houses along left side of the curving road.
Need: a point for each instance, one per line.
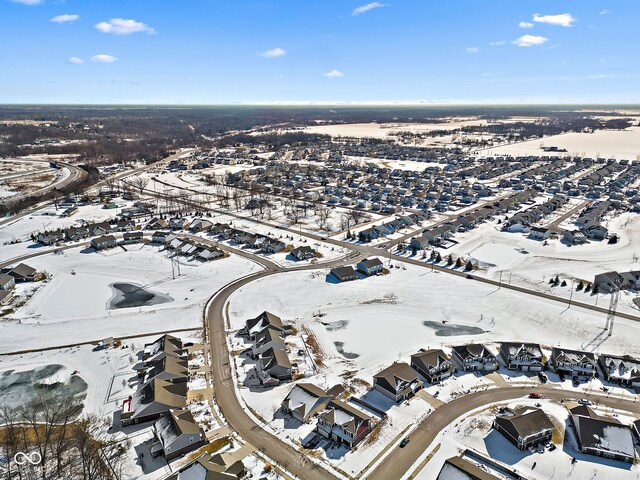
(162, 399)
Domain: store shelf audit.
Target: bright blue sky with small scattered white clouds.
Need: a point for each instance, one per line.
(296, 51)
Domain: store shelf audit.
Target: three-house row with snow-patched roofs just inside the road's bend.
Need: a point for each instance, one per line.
(266, 333)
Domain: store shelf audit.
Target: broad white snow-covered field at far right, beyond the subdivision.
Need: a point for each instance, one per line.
(620, 144)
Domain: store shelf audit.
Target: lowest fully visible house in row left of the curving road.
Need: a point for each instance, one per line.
(177, 433)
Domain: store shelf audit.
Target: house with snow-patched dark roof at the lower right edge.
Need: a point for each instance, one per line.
(602, 436)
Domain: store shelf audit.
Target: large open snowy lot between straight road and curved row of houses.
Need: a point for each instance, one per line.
(366, 324)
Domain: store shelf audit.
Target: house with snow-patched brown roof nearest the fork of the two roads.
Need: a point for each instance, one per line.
(343, 423)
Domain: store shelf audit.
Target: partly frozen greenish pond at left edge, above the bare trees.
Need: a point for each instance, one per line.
(20, 388)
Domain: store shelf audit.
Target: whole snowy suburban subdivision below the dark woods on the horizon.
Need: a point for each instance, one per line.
(327, 307)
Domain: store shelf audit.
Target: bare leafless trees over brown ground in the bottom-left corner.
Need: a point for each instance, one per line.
(65, 444)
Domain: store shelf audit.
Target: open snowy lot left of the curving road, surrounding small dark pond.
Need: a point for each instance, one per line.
(74, 305)
